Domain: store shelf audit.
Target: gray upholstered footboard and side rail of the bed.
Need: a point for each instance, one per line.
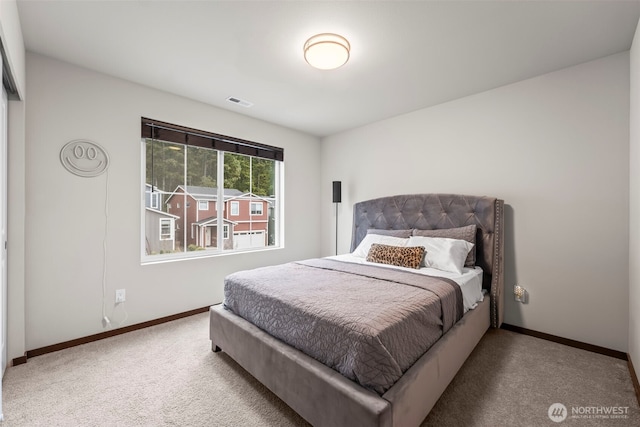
(324, 397)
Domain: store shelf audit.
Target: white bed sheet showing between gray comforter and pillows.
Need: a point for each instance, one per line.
(470, 281)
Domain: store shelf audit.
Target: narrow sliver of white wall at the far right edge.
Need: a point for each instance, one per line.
(634, 205)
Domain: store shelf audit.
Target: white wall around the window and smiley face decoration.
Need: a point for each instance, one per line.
(65, 213)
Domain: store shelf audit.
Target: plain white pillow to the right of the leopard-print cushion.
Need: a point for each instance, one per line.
(443, 253)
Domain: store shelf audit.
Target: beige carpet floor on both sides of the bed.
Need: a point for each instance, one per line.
(167, 376)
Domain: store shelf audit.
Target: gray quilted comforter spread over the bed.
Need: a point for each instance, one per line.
(369, 323)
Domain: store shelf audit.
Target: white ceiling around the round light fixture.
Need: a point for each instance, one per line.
(406, 55)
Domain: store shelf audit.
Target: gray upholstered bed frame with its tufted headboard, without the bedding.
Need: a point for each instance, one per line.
(326, 397)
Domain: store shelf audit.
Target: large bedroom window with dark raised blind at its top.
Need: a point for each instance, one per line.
(183, 165)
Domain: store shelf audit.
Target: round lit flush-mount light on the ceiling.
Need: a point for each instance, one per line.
(326, 51)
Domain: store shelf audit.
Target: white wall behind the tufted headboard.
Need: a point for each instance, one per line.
(555, 148)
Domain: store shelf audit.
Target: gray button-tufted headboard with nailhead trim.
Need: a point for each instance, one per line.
(438, 211)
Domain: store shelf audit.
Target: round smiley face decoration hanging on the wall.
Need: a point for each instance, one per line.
(84, 158)
